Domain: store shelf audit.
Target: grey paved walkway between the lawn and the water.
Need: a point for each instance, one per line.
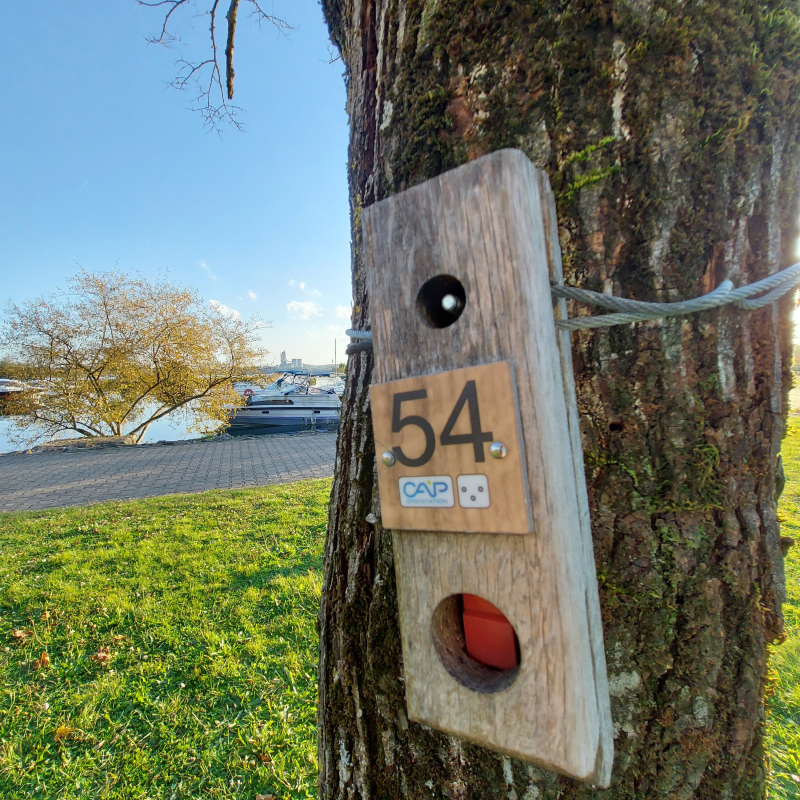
(52, 480)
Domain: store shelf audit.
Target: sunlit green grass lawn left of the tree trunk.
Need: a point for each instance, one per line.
(180, 643)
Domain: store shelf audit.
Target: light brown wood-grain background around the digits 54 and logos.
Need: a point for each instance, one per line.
(508, 510)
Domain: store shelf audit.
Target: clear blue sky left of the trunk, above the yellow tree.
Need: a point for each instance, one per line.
(100, 163)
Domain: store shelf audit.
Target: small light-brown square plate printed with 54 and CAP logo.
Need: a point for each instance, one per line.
(439, 431)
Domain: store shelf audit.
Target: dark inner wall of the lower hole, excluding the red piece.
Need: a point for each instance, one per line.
(449, 640)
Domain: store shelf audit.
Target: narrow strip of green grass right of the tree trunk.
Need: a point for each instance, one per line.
(783, 731)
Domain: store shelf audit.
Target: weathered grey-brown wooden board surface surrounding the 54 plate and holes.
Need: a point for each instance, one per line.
(484, 224)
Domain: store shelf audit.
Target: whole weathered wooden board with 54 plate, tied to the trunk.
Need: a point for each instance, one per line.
(459, 271)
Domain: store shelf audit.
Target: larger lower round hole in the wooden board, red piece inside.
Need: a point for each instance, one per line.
(476, 643)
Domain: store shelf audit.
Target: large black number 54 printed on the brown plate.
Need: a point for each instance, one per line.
(476, 437)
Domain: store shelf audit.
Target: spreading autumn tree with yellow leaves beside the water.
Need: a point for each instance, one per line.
(113, 353)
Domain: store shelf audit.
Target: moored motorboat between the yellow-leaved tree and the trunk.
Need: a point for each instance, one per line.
(289, 404)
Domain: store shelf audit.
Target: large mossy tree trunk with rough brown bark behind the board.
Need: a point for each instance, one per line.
(670, 134)
